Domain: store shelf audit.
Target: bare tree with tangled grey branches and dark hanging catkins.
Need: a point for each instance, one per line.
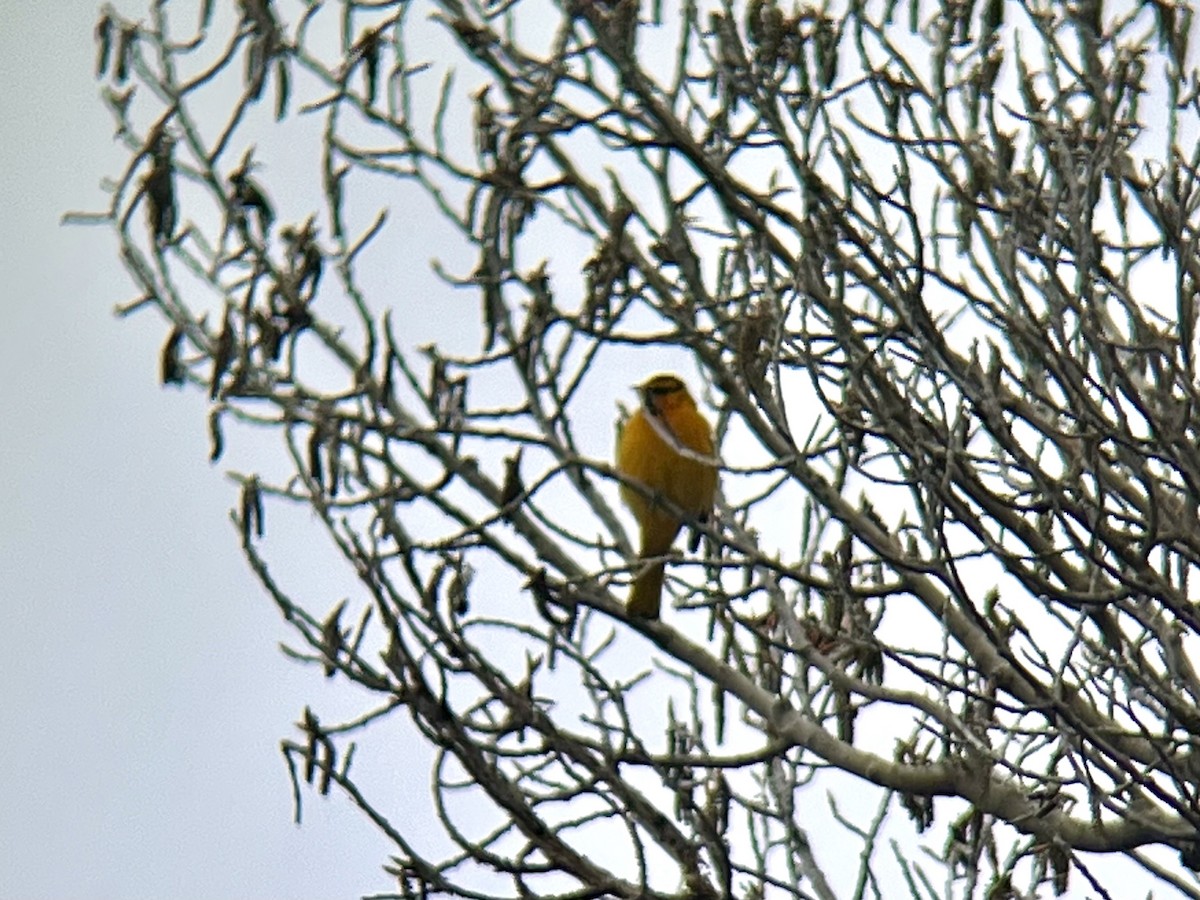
(933, 269)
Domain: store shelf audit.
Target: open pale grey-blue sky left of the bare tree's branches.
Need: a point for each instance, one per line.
(142, 692)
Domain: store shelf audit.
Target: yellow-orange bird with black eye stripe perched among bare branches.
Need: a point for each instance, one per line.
(667, 447)
